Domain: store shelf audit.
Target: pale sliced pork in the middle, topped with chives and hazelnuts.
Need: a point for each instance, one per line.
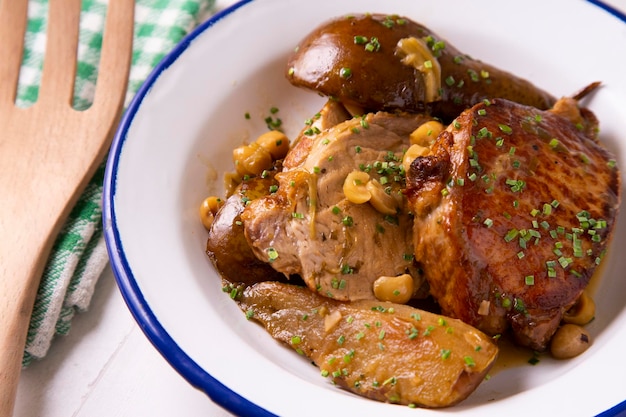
(309, 228)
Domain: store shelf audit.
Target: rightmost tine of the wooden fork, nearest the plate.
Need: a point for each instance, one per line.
(118, 36)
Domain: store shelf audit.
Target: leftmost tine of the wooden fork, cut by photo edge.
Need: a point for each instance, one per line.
(13, 17)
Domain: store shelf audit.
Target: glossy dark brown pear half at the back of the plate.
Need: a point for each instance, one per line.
(378, 80)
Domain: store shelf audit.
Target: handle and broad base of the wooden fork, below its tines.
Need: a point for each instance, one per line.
(35, 202)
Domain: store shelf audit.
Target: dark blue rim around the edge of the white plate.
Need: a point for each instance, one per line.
(150, 325)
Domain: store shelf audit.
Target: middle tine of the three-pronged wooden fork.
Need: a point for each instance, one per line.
(59, 67)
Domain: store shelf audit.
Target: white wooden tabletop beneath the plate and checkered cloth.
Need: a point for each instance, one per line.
(106, 366)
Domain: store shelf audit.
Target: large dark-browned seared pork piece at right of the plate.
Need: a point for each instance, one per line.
(514, 210)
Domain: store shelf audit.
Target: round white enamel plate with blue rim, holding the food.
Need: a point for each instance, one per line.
(175, 142)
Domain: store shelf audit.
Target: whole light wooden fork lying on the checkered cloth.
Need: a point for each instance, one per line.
(48, 154)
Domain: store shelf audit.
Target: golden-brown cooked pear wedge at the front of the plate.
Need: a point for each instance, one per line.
(387, 352)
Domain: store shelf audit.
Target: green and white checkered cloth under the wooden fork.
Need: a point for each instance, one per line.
(79, 254)
